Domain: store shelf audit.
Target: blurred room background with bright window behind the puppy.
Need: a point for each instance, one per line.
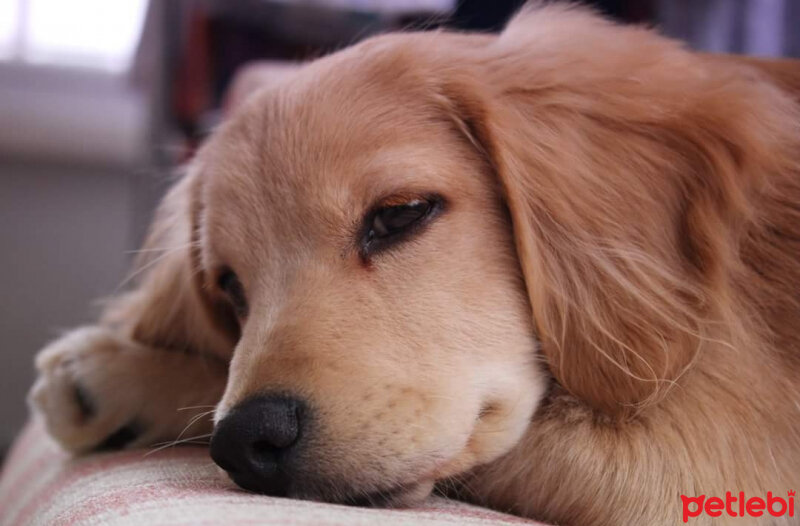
(101, 99)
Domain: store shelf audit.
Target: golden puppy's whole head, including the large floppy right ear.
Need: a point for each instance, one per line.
(387, 233)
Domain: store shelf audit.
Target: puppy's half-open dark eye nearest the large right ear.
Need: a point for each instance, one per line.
(391, 223)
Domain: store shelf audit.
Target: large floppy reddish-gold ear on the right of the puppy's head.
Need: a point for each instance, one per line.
(627, 166)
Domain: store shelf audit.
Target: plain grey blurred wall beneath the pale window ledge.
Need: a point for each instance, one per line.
(65, 234)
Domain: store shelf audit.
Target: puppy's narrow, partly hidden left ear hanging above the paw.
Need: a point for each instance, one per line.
(169, 305)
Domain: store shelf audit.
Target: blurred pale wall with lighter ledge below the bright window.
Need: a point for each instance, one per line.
(68, 218)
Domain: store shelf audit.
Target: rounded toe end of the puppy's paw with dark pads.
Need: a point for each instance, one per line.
(87, 392)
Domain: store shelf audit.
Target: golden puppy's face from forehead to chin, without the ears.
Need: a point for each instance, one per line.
(362, 241)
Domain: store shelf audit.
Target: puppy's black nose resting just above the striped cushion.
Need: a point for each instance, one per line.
(253, 441)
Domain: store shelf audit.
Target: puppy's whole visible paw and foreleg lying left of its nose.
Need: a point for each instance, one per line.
(99, 390)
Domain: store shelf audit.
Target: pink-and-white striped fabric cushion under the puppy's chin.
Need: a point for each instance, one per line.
(40, 485)
